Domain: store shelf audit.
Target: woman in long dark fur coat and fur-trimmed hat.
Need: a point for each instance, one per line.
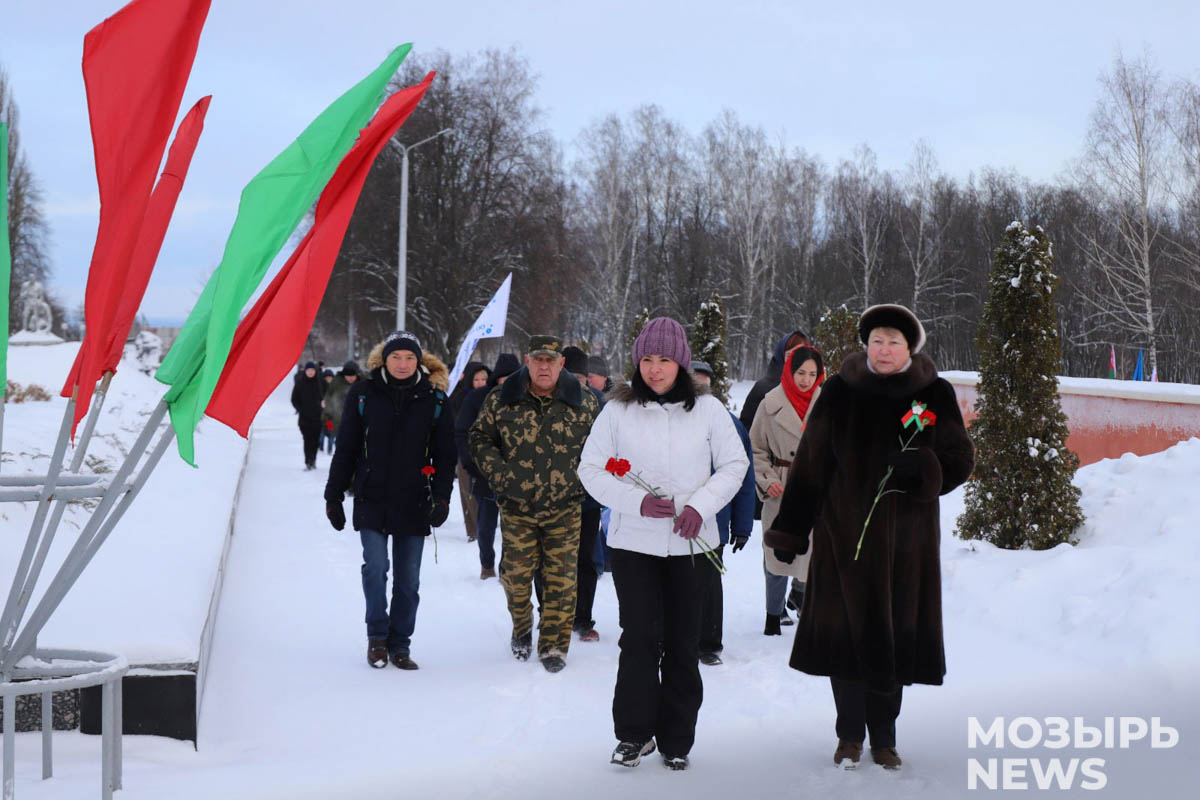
(873, 622)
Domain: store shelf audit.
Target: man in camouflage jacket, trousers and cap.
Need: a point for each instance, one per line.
(527, 442)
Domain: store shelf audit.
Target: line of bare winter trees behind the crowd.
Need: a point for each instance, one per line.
(650, 216)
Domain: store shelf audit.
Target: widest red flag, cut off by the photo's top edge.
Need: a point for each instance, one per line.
(135, 68)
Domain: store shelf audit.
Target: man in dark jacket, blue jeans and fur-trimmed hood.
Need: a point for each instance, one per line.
(397, 446)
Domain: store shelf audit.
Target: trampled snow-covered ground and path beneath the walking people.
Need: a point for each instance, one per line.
(292, 711)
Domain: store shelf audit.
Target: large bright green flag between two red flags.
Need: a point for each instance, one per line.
(272, 207)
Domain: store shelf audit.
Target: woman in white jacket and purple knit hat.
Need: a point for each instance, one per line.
(686, 448)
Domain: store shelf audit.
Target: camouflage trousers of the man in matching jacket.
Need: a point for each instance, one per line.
(549, 545)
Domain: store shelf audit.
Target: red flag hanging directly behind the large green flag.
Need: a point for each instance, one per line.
(273, 335)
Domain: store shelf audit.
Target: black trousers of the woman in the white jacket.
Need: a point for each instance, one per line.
(659, 690)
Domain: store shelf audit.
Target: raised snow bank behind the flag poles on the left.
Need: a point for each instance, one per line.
(147, 593)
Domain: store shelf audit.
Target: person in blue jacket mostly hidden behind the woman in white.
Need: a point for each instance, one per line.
(737, 515)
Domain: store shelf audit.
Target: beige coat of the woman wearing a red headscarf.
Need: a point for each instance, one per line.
(776, 436)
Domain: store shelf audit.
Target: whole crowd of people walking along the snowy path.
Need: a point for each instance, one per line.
(656, 480)
